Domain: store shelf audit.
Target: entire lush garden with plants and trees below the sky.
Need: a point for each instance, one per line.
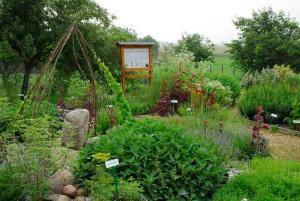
(200, 127)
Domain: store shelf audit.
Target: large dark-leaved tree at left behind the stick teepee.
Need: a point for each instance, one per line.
(32, 28)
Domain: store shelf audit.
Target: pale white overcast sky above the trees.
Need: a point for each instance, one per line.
(166, 20)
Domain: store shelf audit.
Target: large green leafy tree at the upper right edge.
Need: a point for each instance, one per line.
(267, 38)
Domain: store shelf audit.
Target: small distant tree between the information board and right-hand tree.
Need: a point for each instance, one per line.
(201, 47)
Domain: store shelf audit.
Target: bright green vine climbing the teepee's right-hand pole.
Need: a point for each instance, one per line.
(121, 102)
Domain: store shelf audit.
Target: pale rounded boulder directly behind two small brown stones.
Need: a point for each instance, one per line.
(61, 178)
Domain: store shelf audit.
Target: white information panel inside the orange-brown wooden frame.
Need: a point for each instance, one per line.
(136, 57)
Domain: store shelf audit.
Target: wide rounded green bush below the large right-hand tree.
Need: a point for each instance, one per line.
(274, 99)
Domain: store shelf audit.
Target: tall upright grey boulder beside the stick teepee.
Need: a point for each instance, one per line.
(75, 128)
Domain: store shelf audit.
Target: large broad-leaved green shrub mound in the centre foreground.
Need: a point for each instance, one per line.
(167, 162)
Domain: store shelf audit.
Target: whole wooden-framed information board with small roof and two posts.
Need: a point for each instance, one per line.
(136, 57)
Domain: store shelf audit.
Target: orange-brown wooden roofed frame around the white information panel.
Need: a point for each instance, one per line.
(125, 70)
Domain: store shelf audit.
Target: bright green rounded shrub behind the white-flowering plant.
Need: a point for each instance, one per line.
(228, 81)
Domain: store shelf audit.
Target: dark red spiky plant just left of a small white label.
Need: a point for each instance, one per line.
(163, 105)
